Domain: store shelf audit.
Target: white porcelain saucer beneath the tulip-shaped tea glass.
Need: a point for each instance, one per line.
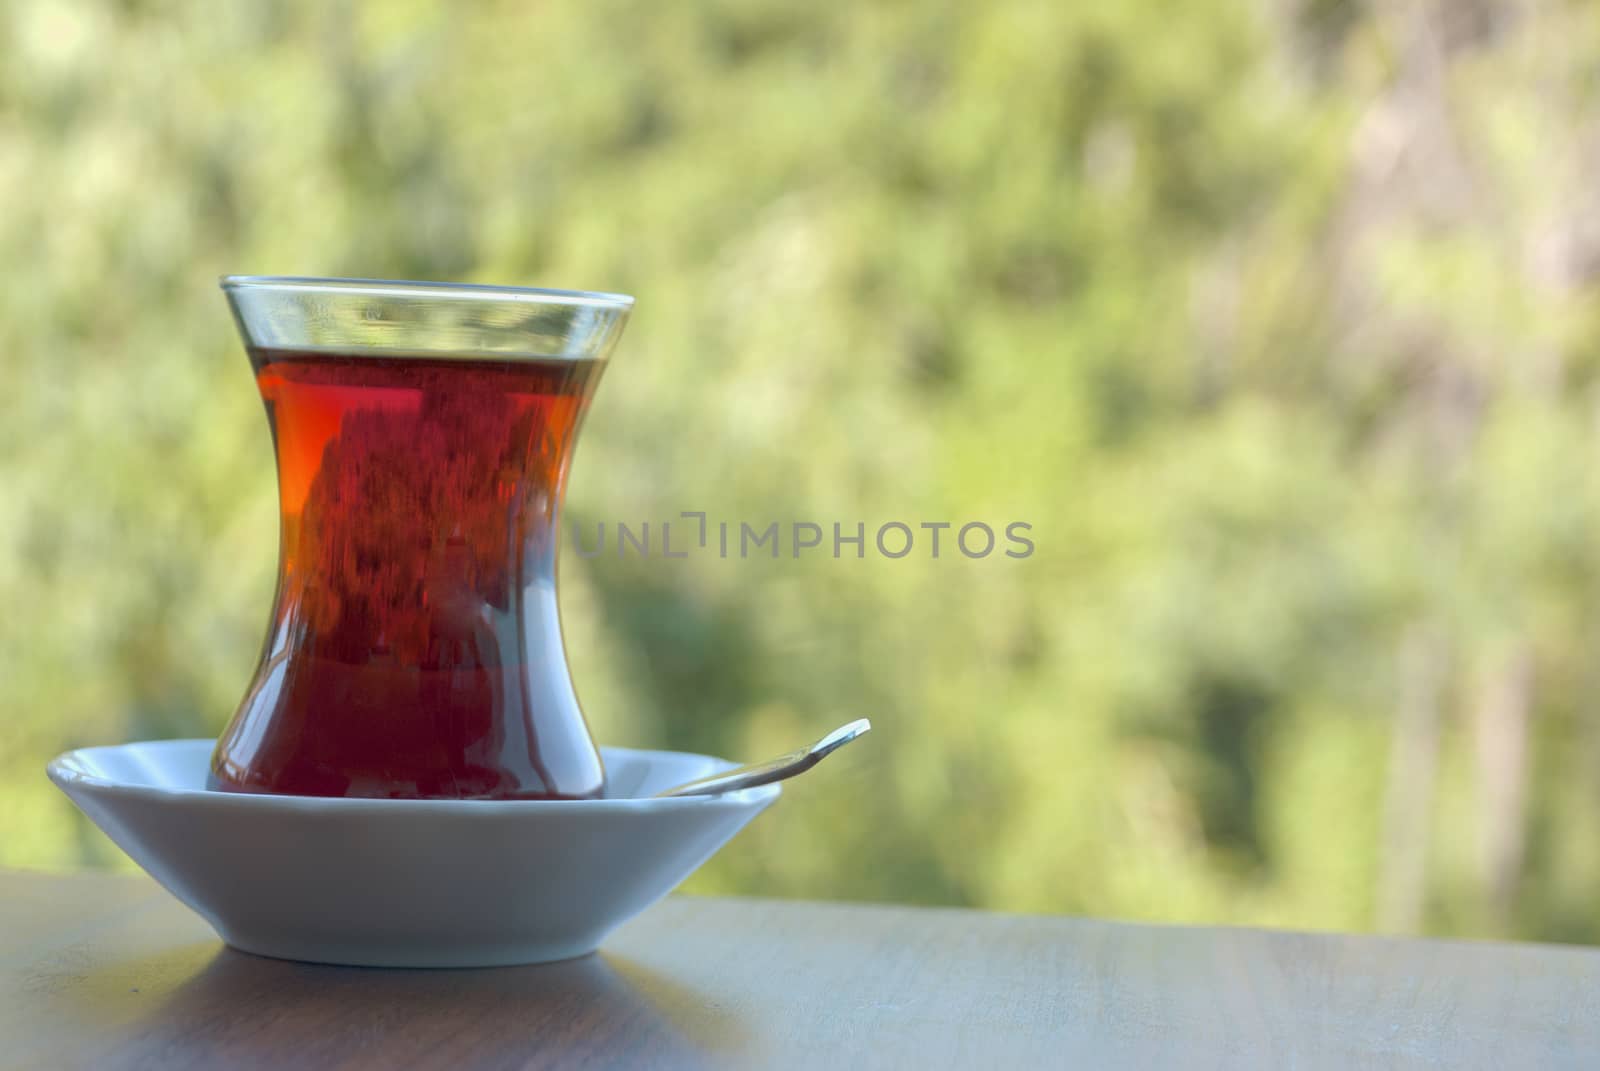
(407, 883)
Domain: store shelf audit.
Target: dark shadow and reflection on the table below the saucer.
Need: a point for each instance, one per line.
(239, 1009)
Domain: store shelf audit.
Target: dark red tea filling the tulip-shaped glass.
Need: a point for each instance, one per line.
(415, 648)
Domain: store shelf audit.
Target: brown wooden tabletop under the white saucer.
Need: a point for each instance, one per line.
(111, 973)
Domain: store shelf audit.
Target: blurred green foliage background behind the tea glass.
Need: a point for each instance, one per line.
(1276, 319)
